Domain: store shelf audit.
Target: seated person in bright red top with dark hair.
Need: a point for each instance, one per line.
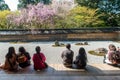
(39, 59)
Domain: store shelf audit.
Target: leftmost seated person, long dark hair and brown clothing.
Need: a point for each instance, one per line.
(10, 61)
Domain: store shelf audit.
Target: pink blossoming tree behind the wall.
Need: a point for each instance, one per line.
(34, 16)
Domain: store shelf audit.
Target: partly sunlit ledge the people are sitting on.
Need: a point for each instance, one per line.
(60, 70)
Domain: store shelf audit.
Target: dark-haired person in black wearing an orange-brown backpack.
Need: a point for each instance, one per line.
(23, 58)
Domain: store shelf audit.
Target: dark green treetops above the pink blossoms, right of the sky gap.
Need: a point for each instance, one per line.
(25, 3)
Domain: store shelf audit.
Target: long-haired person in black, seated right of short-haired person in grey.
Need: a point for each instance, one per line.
(81, 59)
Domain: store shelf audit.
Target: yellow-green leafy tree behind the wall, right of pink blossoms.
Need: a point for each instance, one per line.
(79, 17)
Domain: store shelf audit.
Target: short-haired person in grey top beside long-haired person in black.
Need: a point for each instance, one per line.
(67, 56)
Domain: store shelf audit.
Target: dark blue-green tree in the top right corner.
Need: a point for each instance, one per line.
(111, 9)
